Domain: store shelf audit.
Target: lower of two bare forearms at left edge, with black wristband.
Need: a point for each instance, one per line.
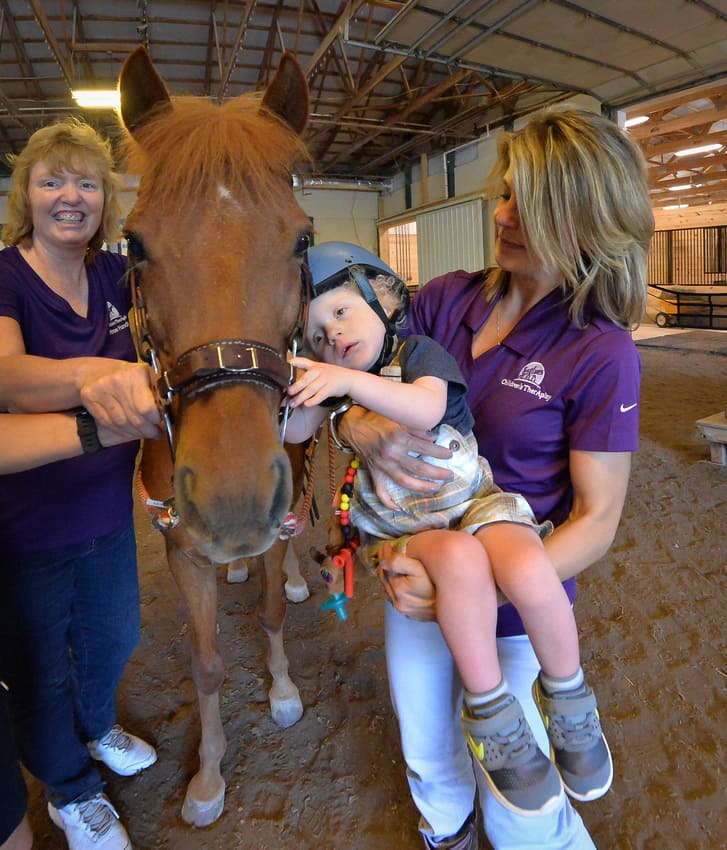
(34, 439)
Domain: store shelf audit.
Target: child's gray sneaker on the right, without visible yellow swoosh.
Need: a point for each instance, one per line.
(577, 744)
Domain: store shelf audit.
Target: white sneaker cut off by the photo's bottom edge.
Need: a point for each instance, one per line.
(92, 824)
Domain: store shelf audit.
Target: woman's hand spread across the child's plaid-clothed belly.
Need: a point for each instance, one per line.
(388, 450)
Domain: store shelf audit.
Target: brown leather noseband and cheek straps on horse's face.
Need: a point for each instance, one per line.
(212, 364)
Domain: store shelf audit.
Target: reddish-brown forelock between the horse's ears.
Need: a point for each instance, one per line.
(197, 144)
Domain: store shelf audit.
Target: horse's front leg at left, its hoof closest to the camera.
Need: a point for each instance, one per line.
(197, 582)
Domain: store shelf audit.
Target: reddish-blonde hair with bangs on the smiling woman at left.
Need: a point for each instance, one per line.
(70, 145)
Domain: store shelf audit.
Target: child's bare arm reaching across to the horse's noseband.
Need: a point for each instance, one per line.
(419, 405)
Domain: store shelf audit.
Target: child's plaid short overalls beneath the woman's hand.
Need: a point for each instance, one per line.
(466, 503)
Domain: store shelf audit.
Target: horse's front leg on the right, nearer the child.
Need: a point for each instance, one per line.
(286, 706)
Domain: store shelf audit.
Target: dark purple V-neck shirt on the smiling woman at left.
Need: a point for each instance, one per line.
(77, 500)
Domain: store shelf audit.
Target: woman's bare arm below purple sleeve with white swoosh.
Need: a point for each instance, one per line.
(600, 481)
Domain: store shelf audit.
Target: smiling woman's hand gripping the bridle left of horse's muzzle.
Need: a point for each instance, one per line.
(123, 402)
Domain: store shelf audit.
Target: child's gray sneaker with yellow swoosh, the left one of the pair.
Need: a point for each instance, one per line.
(517, 771)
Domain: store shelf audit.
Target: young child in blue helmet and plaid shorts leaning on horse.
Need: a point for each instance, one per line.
(471, 537)
